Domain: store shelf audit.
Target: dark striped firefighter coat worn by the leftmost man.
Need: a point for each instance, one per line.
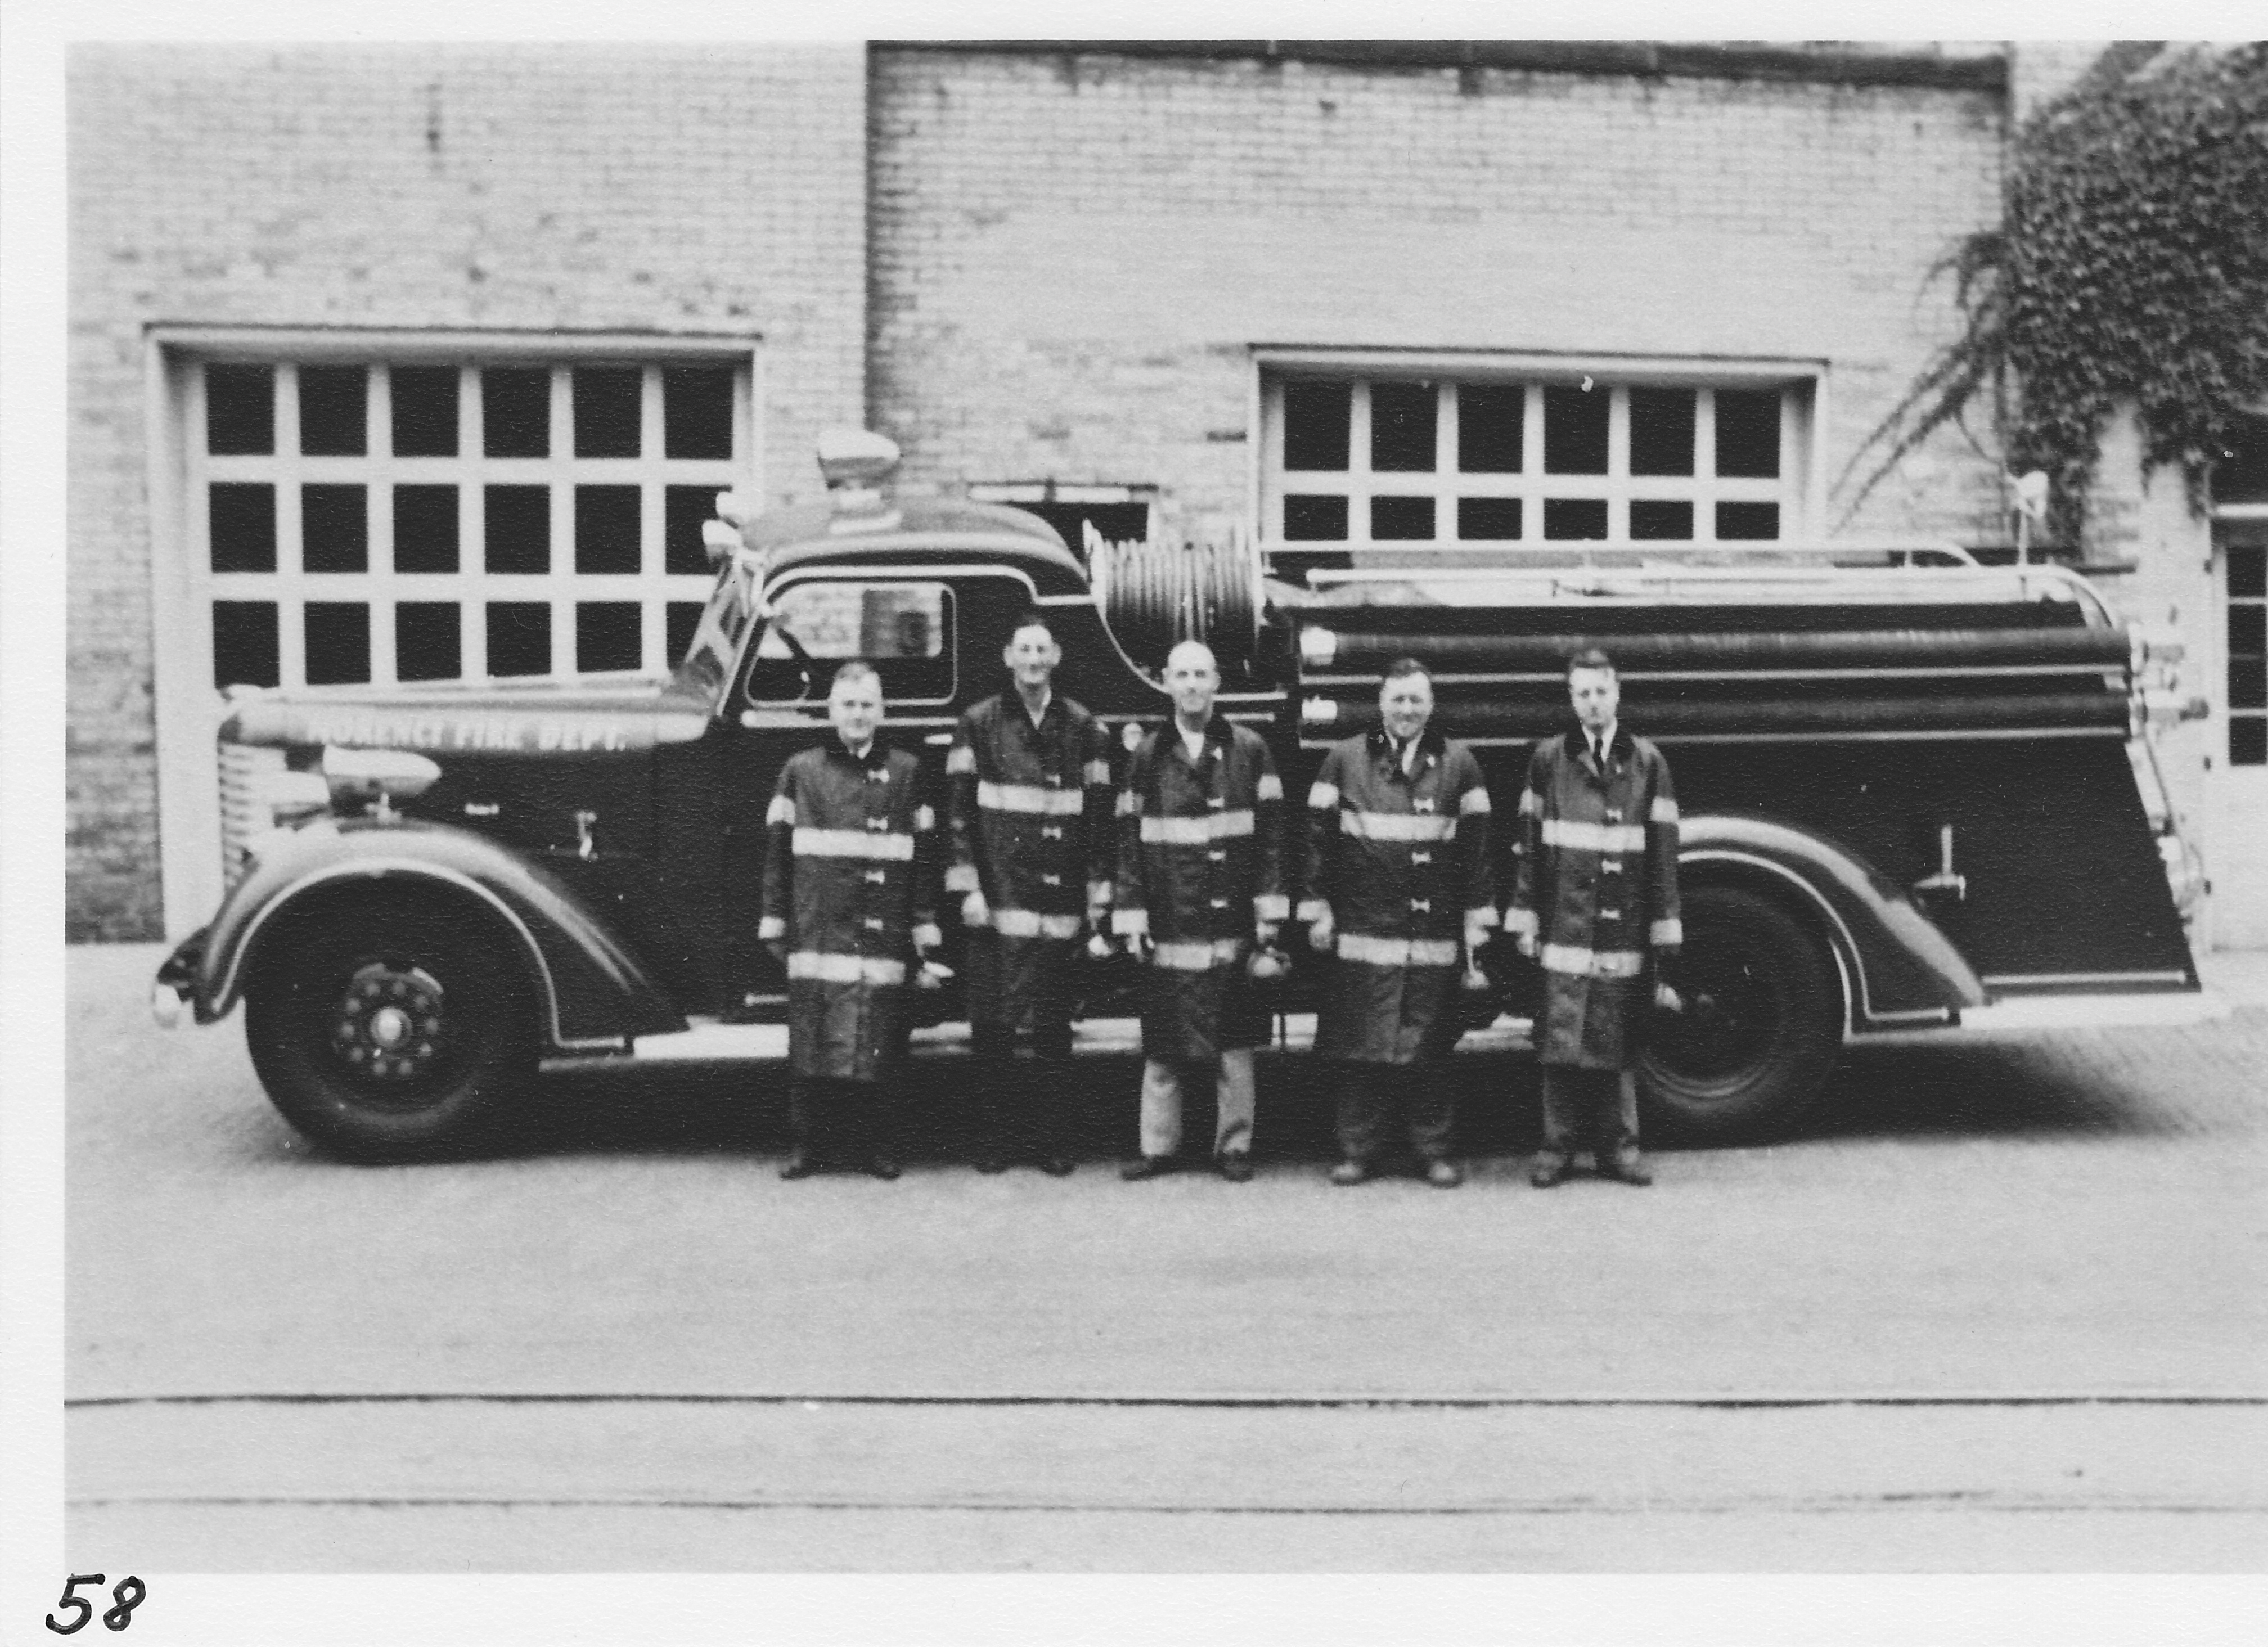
(852, 859)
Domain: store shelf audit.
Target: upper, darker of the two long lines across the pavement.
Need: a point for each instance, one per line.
(1736, 1403)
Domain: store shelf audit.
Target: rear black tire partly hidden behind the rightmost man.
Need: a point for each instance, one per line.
(1759, 1029)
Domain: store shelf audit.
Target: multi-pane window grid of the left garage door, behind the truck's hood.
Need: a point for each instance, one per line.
(423, 521)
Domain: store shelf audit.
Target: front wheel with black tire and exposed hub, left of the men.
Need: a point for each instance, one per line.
(391, 1031)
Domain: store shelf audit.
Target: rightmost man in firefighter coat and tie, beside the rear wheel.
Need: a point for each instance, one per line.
(1598, 904)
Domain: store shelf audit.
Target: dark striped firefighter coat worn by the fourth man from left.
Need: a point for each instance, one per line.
(1403, 865)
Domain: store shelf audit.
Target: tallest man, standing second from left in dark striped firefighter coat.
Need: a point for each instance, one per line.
(1031, 813)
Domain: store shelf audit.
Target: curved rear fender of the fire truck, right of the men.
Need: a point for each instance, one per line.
(1899, 970)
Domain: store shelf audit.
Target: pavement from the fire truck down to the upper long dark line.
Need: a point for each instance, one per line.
(1913, 1213)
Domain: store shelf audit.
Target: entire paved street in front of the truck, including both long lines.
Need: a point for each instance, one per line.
(2002, 1308)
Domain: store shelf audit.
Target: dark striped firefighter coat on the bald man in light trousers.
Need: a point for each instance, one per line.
(1201, 861)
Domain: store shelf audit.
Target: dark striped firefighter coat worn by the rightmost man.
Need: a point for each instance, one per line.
(1598, 886)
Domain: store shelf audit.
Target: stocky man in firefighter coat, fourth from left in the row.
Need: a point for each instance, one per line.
(1400, 893)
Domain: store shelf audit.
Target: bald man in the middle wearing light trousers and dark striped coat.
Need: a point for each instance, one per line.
(1201, 895)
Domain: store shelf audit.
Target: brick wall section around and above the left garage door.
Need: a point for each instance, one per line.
(609, 187)
